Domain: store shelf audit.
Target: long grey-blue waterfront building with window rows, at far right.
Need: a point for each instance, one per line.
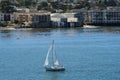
(110, 16)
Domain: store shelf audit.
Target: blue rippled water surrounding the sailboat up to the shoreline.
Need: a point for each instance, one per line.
(87, 54)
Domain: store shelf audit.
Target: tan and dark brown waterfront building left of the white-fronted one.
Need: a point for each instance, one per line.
(33, 19)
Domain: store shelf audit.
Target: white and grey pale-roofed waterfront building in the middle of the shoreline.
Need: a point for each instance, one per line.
(66, 19)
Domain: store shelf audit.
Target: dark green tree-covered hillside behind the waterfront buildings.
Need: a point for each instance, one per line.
(8, 7)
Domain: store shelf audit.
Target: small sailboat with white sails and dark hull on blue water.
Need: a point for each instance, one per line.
(55, 66)
